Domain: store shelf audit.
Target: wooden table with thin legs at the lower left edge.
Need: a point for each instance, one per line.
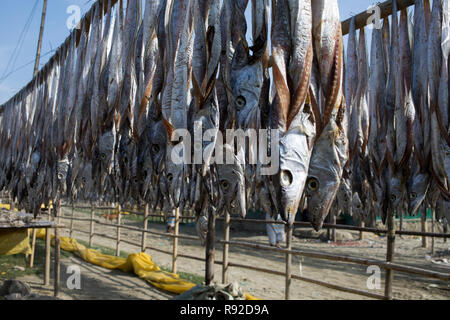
(44, 225)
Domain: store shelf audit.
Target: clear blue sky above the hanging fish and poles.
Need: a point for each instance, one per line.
(14, 16)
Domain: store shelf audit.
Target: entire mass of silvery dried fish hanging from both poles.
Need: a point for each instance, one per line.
(111, 117)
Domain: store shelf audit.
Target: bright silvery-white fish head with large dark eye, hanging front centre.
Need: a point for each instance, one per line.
(294, 162)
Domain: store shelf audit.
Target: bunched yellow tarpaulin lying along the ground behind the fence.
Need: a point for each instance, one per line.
(139, 263)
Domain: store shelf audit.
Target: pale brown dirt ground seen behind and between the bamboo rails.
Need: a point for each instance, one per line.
(103, 284)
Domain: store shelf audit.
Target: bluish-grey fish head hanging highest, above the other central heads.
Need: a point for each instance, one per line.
(246, 83)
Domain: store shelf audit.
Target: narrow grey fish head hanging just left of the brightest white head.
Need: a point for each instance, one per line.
(232, 183)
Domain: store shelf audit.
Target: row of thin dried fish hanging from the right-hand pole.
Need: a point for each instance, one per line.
(398, 111)
